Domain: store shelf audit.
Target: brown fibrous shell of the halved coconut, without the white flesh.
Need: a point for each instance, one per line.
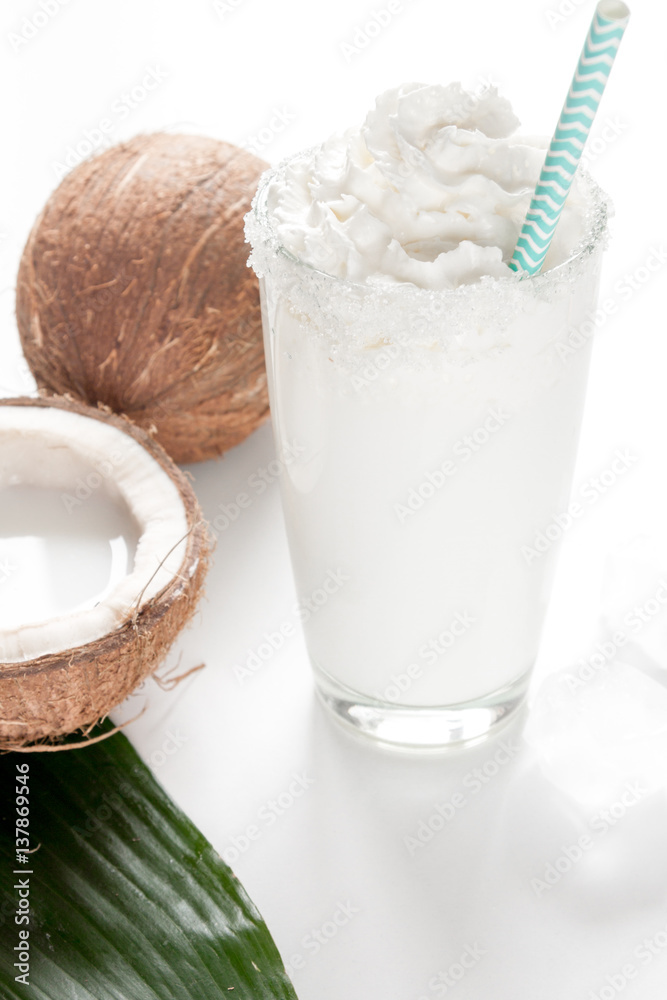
(59, 693)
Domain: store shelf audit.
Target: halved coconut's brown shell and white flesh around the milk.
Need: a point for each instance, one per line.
(65, 673)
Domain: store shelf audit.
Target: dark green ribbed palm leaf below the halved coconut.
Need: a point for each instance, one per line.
(128, 901)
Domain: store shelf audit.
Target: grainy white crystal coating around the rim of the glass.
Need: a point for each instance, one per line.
(353, 316)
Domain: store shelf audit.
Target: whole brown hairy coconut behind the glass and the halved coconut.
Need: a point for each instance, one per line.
(133, 291)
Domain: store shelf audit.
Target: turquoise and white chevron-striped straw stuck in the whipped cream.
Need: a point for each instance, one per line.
(590, 78)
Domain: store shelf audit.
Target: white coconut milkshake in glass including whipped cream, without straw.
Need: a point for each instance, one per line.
(435, 398)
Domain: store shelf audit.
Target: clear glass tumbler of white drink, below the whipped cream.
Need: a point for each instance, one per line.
(429, 441)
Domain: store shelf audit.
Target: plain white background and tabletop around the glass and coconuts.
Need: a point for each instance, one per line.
(224, 749)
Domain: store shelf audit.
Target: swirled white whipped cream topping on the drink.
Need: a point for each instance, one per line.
(432, 189)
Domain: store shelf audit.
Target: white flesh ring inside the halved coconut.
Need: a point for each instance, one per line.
(77, 456)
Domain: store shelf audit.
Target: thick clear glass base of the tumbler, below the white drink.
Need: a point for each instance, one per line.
(422, 727)
